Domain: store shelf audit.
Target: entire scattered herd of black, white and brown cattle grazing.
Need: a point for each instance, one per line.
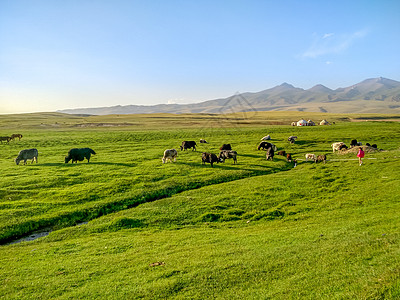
(226, 152)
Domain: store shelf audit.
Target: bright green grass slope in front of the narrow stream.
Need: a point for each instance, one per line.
(314, 232)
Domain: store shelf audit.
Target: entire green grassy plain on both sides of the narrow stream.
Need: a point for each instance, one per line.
(256, 230)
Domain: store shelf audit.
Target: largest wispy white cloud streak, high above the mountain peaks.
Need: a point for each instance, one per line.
(330, 43)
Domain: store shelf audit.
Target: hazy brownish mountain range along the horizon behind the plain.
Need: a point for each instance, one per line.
(375, 95)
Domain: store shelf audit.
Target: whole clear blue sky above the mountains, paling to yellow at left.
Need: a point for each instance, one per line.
(86, 53)
